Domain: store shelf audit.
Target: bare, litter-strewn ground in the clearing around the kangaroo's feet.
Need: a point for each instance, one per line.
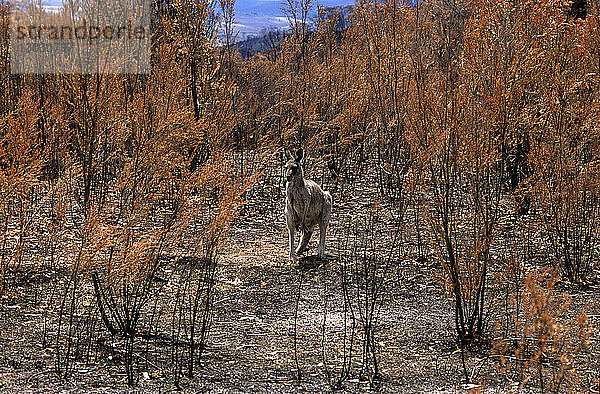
(278, 326)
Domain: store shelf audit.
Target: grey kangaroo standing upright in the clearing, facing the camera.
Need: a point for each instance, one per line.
(306, 205)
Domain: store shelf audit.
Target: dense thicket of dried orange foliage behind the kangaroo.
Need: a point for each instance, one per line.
(458, 110)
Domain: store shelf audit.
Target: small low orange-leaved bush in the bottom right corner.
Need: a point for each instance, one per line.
(547, 343)
